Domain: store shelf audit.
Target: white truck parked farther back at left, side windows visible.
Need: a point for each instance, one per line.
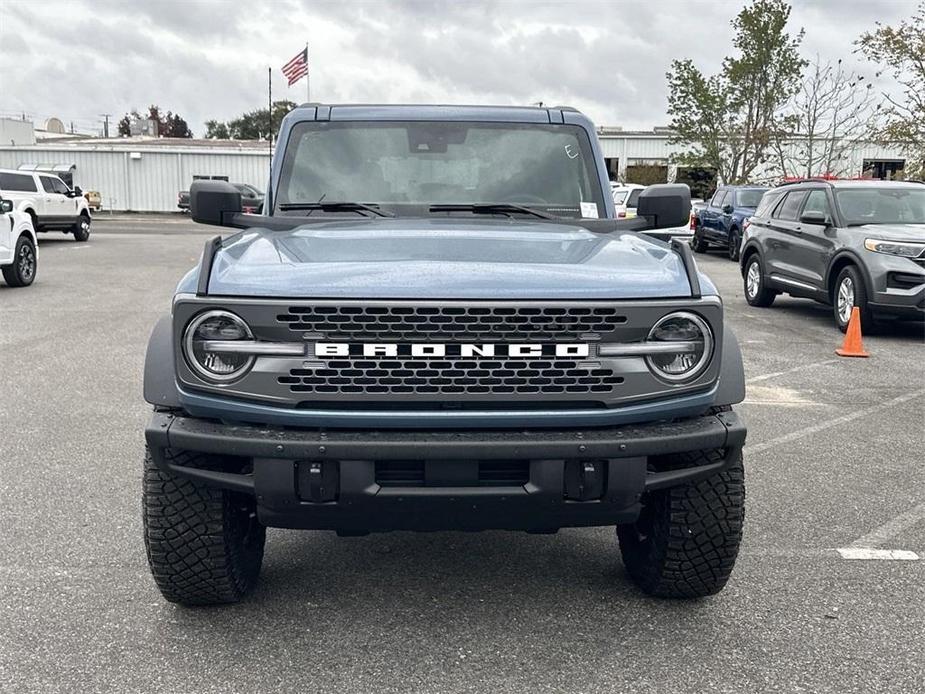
(48, 201)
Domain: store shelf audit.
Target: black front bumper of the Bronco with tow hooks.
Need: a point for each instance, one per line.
(354, 499)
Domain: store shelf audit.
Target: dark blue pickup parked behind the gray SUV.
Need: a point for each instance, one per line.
(721, 221)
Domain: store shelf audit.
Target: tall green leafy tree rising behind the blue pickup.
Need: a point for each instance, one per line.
(728, 121)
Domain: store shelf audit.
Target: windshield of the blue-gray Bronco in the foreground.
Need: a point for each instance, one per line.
(404, 167)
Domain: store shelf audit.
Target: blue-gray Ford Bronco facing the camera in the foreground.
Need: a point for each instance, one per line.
(438, 323)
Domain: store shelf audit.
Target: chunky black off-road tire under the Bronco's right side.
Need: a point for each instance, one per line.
(685, 542)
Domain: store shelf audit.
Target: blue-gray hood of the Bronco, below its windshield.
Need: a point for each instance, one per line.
(445, 258)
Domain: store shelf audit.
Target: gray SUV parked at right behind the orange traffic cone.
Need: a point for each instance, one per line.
(844, 243)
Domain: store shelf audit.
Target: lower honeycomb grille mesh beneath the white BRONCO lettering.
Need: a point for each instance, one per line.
(453, 377)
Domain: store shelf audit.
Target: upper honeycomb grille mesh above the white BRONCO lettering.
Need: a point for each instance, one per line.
(445, 323)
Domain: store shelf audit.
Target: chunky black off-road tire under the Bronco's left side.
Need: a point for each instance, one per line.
(204, 545)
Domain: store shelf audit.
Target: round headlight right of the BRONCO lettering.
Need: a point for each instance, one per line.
(695, 347)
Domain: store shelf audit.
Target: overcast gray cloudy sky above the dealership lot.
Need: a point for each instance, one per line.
(206, 59)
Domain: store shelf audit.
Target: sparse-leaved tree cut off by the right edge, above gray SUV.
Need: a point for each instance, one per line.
(901, 51)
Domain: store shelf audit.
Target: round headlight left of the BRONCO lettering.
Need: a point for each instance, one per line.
(203, 349)
